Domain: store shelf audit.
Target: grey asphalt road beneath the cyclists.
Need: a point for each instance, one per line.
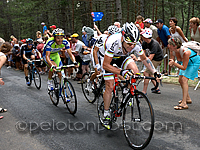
(34, 123)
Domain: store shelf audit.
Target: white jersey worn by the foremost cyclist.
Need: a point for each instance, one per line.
(114, 46)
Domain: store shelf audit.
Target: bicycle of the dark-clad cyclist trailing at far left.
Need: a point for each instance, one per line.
(33, 74)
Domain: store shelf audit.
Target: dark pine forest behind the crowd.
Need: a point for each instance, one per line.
(22, 18)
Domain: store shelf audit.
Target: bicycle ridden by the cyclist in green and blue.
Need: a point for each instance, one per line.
(63, 89)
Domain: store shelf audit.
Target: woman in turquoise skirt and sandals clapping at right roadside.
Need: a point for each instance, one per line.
(188, 65)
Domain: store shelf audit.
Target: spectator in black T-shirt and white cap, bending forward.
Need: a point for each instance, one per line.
(155, 55)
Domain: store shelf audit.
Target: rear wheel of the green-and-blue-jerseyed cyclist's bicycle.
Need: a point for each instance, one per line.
(54, 94)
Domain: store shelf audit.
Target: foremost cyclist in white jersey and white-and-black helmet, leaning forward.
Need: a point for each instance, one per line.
(118, 47)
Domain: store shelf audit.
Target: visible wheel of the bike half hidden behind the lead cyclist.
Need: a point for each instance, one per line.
(88, 90)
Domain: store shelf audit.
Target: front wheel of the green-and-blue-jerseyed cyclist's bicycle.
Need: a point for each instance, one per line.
(69, 96)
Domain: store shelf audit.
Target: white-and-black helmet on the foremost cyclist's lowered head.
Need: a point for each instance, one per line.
(130, 33)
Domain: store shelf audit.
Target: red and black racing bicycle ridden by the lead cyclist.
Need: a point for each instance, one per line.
(138, 114)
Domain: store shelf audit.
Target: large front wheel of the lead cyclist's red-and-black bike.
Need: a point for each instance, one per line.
(138, 120)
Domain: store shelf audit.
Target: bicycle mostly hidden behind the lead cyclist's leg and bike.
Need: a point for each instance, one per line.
(94, 91)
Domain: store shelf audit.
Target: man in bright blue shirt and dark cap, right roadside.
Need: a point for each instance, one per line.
(163, 36)
